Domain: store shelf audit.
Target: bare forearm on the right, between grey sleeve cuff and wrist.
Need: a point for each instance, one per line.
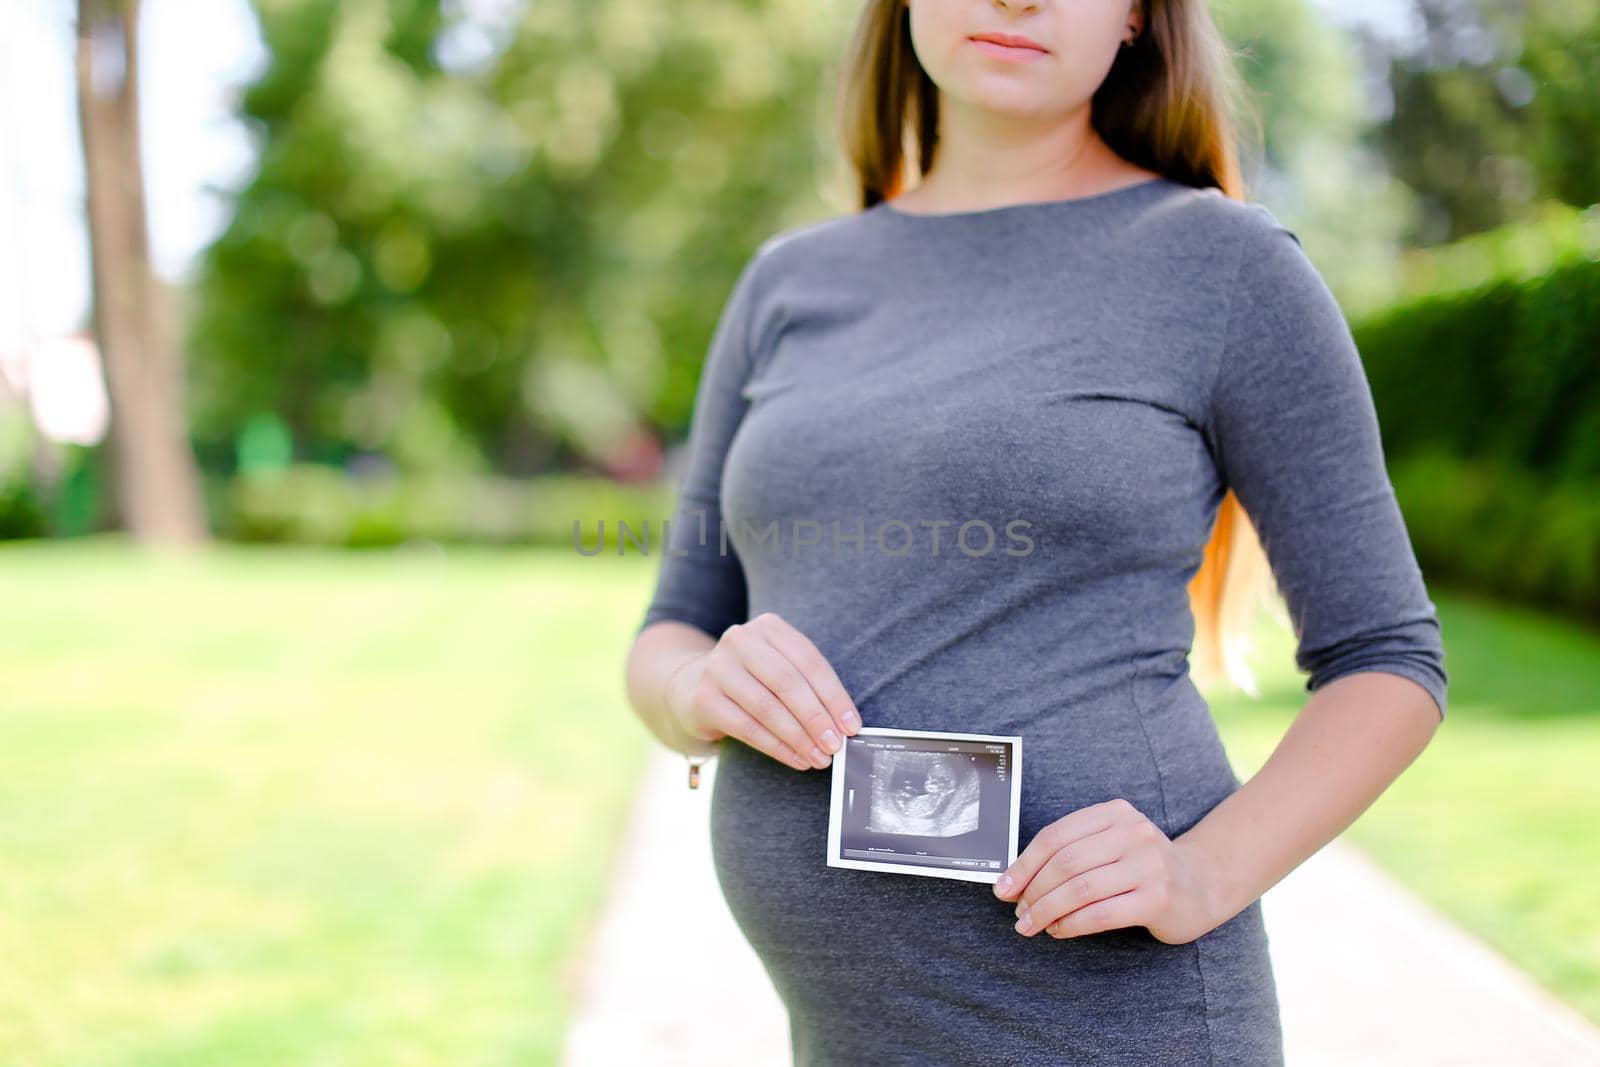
(1354, 737)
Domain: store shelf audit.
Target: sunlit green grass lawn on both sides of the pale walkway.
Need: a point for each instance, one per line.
(308, 807)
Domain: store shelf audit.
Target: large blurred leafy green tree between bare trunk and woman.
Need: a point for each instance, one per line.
(497, 233)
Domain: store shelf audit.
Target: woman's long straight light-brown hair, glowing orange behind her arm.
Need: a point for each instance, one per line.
(1169, 105)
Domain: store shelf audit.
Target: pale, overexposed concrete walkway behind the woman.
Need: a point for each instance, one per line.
(1366, 972)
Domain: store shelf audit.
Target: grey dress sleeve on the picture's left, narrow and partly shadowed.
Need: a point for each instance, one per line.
(702, 580)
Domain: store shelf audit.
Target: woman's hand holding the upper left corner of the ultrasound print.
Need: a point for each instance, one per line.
(766, 684)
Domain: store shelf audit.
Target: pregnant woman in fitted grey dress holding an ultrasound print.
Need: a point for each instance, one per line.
(996, 454)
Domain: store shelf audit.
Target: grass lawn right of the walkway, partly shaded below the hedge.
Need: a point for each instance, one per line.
(1498, 823)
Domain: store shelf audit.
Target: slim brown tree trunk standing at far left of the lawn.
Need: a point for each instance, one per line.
(158, 481)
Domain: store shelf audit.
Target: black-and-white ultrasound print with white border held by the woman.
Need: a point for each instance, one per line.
(932, 804)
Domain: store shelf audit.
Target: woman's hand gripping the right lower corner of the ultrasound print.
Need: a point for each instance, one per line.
(1108, 866)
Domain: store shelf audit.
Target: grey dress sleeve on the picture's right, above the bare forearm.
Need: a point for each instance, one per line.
(1295, 436)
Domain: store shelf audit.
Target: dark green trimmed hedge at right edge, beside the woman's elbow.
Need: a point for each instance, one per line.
(1489, 396)
